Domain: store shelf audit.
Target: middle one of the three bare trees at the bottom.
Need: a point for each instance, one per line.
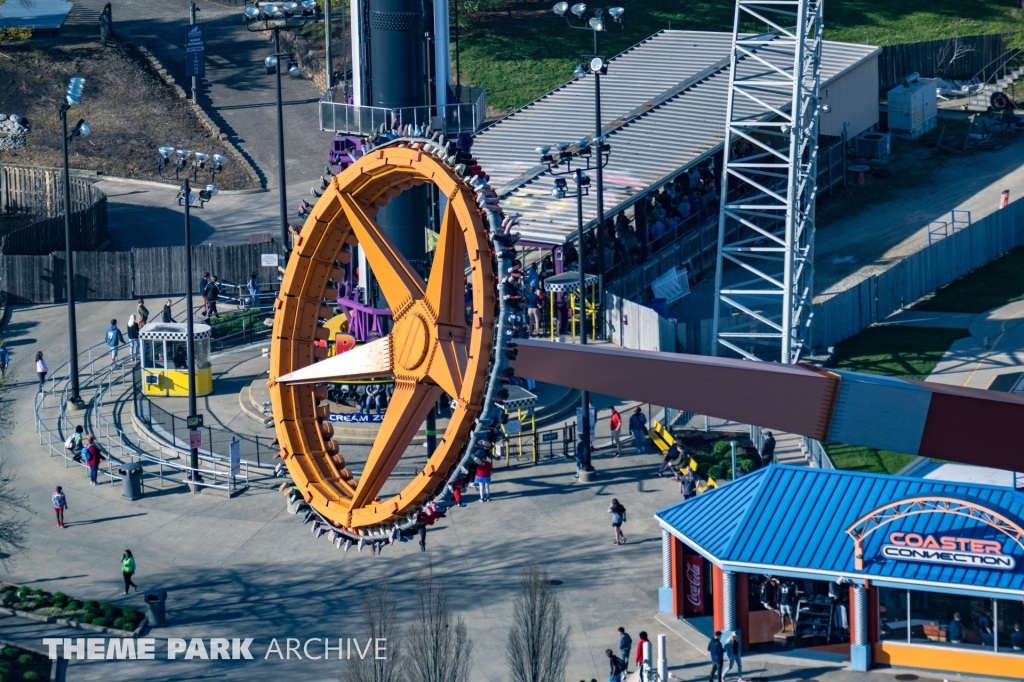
(440, 649)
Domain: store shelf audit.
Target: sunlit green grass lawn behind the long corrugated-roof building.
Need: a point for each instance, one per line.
(522, 51)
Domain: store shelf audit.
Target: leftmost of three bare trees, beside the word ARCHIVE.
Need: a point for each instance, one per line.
(381, 619)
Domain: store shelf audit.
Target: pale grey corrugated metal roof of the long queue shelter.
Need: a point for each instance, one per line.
(647, 151)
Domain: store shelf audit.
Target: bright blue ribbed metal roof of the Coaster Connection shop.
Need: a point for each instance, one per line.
(795, 519)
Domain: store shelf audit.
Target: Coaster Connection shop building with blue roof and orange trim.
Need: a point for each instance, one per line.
(884, 570)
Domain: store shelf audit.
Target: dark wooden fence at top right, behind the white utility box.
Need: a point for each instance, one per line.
(959, 58)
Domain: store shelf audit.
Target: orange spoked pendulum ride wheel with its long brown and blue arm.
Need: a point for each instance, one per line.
(433, 351)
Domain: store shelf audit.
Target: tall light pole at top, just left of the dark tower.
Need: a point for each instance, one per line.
(272, 17)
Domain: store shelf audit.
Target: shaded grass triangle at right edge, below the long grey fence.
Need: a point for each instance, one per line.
(993, 285)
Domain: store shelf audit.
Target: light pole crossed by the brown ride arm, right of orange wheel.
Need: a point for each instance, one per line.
(594, 155)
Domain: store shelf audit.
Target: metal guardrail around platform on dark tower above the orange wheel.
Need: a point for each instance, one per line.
(466, 116)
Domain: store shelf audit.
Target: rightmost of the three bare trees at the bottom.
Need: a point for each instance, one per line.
(538, 647)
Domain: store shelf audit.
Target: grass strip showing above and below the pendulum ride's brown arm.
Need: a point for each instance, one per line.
(908, 353)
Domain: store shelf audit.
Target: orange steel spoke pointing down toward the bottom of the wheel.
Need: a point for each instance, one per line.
(406, 412)
